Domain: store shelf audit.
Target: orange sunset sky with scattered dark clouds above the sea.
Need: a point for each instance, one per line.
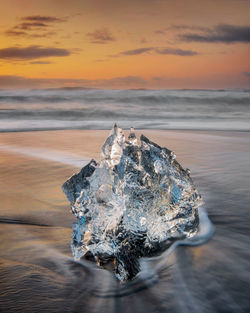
(125, 44)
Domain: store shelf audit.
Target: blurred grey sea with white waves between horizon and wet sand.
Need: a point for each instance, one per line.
(161, 107)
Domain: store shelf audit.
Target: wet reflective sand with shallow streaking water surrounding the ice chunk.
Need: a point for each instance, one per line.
(37, 272)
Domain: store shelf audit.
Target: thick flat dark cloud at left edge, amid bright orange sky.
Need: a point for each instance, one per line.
(32, 52)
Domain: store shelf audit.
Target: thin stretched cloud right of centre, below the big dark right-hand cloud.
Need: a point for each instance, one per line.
(157, 50)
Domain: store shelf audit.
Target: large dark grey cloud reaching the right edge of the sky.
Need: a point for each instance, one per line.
(221, 33)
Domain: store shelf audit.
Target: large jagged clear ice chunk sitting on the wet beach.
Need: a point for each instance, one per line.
(135, 203)
